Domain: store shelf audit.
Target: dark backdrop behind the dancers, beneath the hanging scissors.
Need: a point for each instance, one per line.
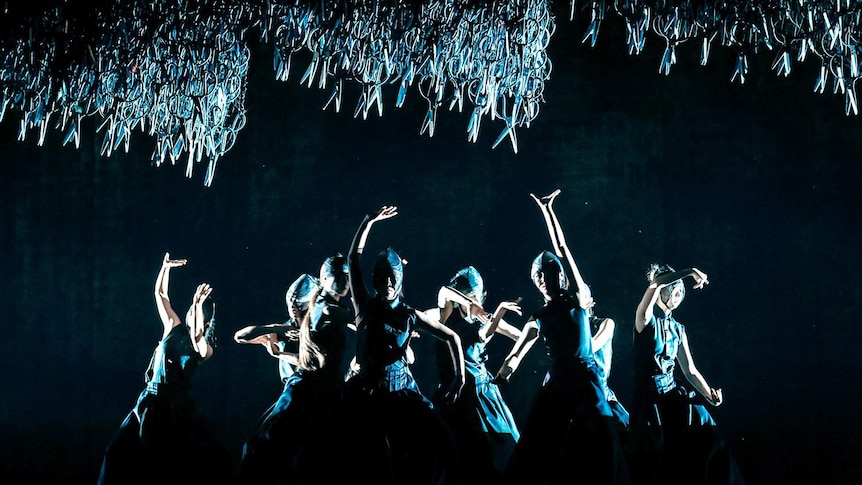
(755, 184)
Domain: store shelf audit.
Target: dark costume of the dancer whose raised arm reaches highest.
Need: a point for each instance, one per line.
(569, 435)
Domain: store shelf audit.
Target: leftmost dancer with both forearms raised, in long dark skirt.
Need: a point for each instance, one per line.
(164, 438)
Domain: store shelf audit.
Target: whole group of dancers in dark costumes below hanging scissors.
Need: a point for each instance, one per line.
(351, 408)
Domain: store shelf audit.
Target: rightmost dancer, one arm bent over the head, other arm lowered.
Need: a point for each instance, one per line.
(673, 431)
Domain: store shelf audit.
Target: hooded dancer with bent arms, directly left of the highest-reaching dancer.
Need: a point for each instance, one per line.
(483, 426)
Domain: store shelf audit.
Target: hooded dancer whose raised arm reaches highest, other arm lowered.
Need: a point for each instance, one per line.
(569, 434)
